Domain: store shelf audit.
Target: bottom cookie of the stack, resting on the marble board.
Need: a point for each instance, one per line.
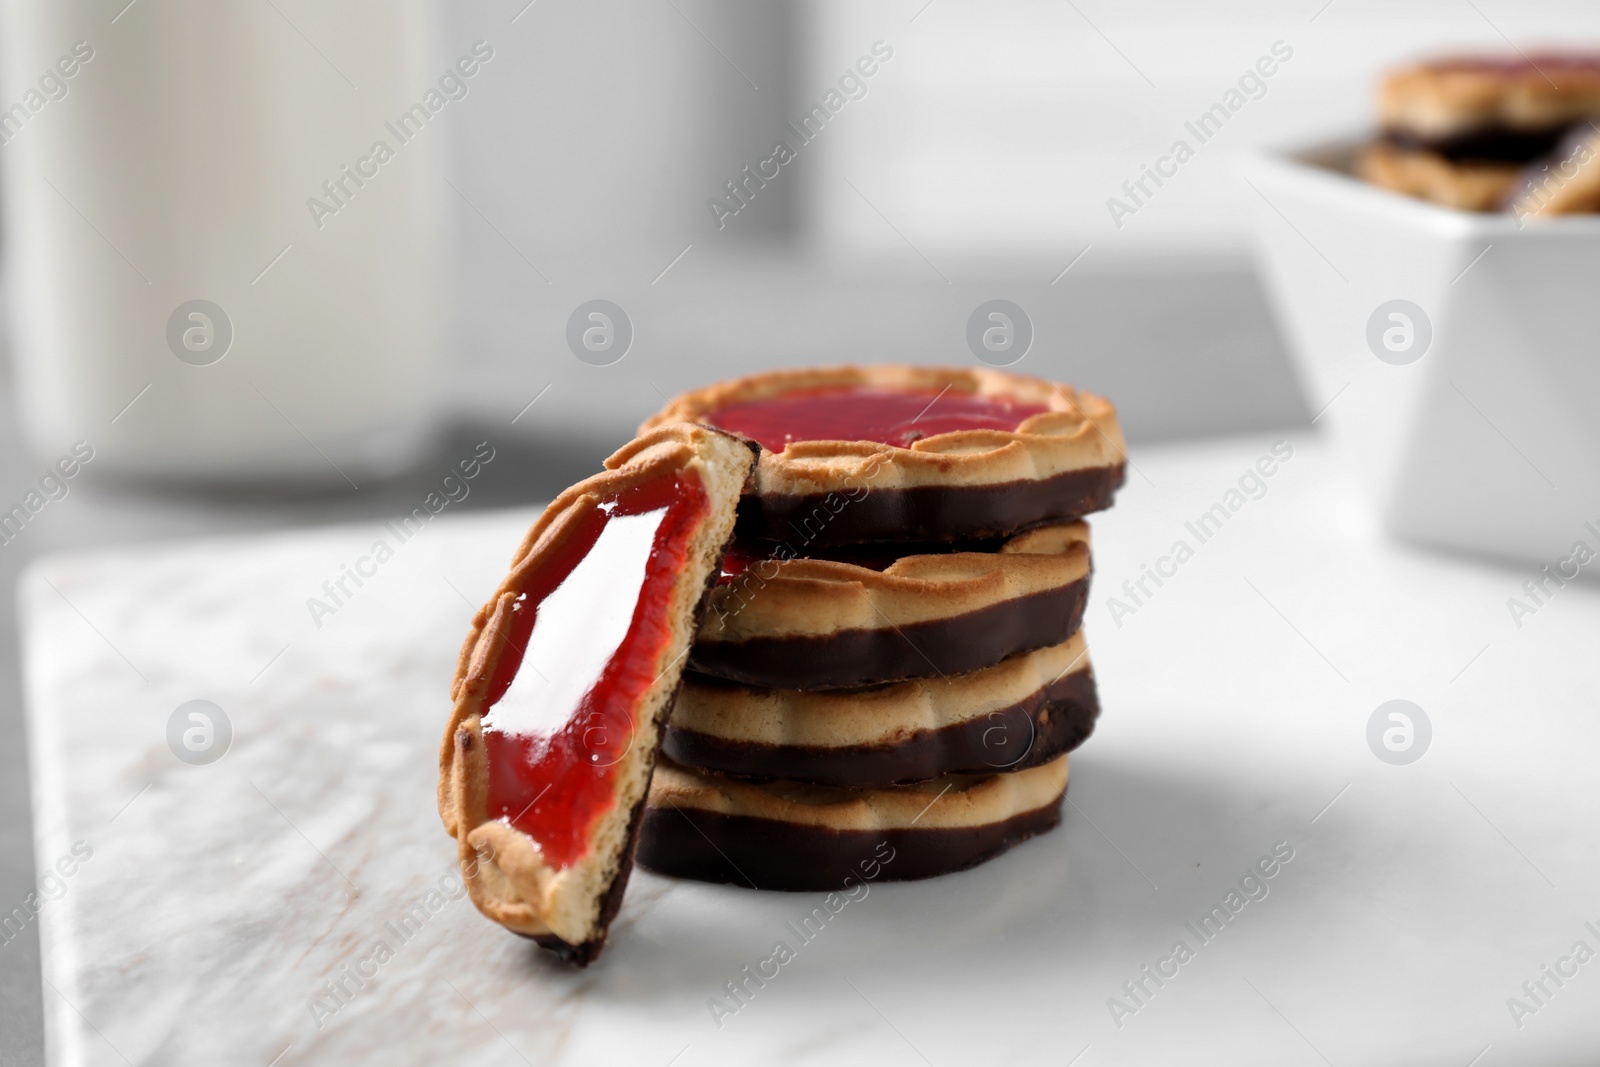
(786, 836)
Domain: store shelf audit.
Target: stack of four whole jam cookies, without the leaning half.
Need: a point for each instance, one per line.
(892, 661)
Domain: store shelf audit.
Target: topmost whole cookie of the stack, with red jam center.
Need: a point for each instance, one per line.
(858, 455)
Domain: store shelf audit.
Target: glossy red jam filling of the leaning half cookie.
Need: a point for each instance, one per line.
(585, 639)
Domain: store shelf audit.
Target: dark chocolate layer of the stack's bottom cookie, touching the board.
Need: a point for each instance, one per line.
(772, 855)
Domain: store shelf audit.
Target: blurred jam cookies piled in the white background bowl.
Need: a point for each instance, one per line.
(1494, 134)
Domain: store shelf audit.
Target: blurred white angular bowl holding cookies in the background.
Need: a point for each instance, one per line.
(1490, 441)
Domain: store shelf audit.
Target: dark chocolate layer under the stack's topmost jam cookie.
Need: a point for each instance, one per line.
(927, 513)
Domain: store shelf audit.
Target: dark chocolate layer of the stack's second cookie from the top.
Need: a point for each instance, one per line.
(924, 650)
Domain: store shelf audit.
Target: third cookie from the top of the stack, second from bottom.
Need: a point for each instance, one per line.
(1009, 717)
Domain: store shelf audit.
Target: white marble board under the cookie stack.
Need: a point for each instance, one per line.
(1418, 901)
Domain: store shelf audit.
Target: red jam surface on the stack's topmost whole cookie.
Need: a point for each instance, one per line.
(889, 417)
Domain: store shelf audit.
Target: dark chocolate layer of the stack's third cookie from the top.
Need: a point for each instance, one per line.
(1052, 722)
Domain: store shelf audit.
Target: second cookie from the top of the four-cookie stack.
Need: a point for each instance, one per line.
(833, 623)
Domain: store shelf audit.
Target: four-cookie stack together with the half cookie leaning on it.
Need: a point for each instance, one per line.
(807, 626)
